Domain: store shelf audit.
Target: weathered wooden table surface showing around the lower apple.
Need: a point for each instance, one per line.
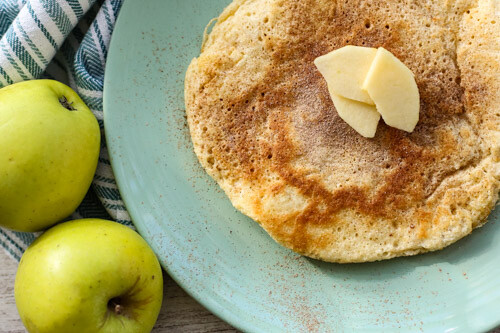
(179, 313)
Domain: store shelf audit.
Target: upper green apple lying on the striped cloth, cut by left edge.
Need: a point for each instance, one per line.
(49, 143)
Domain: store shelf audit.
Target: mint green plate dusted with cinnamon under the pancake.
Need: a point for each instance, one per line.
(224, 259)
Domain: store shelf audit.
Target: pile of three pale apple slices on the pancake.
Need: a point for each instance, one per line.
(366, 83)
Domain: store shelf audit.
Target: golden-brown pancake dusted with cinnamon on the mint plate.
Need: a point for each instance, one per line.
(264, 127)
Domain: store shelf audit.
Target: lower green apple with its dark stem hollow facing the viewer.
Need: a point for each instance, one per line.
(89, 276)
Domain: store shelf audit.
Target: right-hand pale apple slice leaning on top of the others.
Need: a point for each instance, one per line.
(393, 88)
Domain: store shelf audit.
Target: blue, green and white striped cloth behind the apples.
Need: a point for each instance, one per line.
(65, 40)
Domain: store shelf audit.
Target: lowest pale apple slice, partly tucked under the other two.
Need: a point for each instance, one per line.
(362, 117)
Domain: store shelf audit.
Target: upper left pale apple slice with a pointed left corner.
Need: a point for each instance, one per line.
(345, 70)
